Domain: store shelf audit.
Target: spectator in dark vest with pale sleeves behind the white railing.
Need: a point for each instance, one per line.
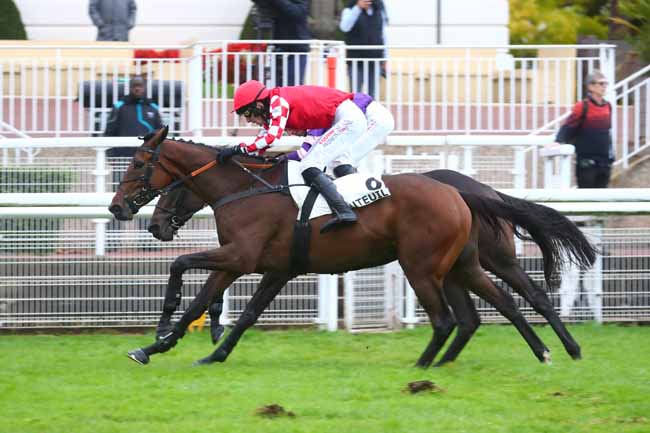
(363, 23)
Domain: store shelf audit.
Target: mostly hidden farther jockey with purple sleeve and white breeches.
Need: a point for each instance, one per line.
(380, 123)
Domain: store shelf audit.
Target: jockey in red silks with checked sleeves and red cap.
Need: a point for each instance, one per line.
(301, 108)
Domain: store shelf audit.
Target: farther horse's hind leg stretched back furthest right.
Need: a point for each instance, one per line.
(512, 274)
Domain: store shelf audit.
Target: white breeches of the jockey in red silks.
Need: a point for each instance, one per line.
(335, 146)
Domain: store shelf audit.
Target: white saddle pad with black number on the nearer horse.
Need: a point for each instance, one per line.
(357, 189)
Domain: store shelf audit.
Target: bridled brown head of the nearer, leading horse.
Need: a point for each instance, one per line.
(143, 179)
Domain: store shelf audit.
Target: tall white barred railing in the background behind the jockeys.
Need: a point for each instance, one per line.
(68, 90)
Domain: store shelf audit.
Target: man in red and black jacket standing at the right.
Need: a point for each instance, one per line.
(588, 129)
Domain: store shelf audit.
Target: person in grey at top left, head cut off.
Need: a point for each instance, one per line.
(113, 18)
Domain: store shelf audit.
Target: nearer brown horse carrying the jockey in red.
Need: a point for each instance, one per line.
(423, 224)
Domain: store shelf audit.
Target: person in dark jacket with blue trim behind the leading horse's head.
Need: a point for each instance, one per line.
(133, 115)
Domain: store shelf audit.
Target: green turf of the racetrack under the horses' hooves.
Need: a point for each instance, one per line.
(333, 382)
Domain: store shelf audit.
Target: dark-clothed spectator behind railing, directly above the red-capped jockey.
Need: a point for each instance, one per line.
(289, 23)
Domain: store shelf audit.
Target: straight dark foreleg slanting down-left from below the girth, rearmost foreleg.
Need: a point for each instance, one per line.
(268, 289)
